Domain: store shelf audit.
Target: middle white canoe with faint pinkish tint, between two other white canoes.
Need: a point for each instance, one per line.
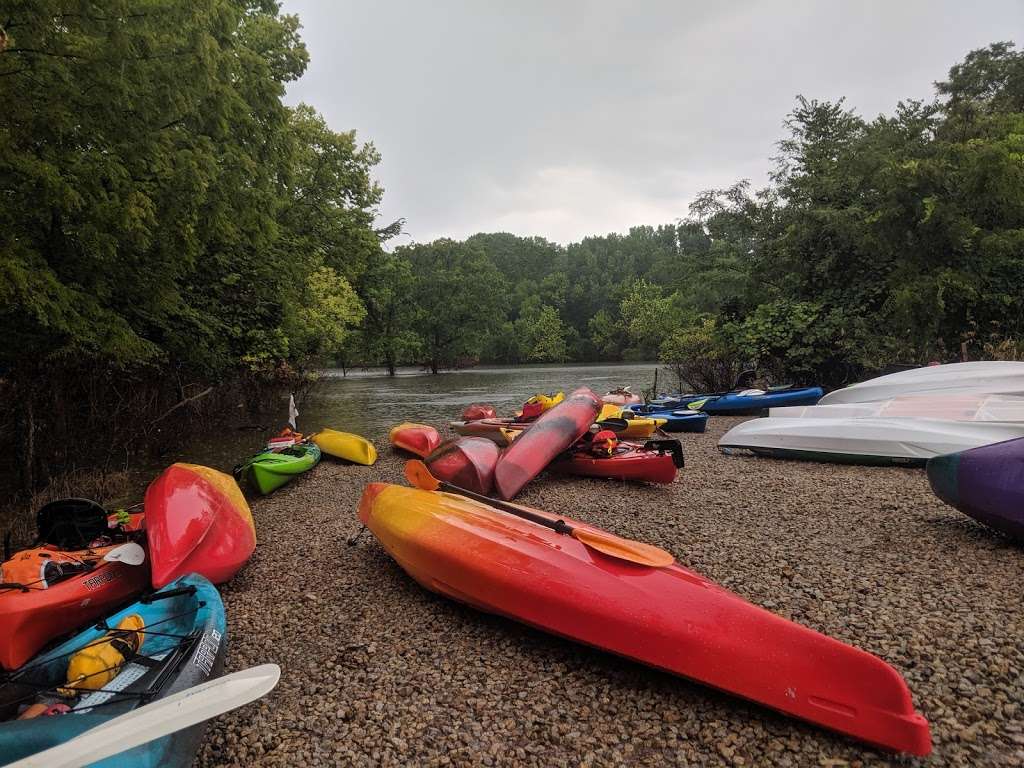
(957, 407)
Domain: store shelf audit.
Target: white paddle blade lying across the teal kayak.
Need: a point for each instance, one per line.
(159, 719)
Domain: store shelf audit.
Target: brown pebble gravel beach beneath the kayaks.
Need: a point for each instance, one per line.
(379, 672)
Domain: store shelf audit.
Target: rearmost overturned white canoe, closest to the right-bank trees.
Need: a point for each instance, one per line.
(999, 377)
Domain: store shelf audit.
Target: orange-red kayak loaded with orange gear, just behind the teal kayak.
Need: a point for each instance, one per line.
(38, 604)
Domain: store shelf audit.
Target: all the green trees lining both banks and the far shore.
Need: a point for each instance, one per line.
(175, 238)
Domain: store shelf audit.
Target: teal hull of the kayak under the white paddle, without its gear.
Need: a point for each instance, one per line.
(198, 614)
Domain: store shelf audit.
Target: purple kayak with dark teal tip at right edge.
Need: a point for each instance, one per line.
(986, 483)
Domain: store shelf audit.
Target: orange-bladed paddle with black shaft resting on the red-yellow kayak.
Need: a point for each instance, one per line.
(624, 549)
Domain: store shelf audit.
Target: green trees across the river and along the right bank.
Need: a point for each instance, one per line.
(898, 240)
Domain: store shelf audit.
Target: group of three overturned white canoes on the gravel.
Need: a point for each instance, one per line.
(903, 419)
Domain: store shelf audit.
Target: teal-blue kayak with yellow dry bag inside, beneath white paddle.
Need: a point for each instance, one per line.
(180, 643)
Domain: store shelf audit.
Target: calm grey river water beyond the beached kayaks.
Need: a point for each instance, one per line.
(370, 404)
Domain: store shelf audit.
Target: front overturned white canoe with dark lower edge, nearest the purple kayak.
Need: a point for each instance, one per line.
(866, 441)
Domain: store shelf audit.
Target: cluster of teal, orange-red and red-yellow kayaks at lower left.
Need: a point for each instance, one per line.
(131, 602)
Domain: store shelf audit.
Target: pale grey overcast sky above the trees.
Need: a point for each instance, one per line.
(565, 119)
